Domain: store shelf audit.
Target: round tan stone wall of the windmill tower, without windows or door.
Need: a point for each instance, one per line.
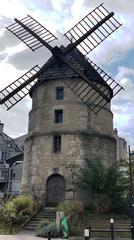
(84, 135)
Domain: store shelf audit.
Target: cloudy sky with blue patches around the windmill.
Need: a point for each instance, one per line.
(115, 55)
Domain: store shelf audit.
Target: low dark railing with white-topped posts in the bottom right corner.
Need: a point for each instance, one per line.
(89, 230)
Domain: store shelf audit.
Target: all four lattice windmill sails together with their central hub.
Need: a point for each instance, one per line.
(86, 35)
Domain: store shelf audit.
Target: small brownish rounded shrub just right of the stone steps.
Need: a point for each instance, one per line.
(71, 208)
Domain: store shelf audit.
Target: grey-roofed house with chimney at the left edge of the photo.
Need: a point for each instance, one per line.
(8, 149)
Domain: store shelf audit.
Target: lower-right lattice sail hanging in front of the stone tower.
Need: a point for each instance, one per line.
(94, 93)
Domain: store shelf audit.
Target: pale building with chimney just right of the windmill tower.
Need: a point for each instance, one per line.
(121, 147)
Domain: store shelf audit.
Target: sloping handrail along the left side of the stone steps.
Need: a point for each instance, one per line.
(36, 210)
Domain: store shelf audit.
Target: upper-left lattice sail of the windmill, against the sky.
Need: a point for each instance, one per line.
(32, 33)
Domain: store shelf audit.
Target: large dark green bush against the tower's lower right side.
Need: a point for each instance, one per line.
(106, 184)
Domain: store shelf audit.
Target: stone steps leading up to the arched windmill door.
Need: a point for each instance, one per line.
(44, 214)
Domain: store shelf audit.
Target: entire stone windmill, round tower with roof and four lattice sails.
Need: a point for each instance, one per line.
(66, 126)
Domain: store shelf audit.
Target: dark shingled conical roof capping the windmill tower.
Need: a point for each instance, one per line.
(59, 70)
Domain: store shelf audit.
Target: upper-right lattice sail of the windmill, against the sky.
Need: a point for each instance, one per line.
(92, 29)
